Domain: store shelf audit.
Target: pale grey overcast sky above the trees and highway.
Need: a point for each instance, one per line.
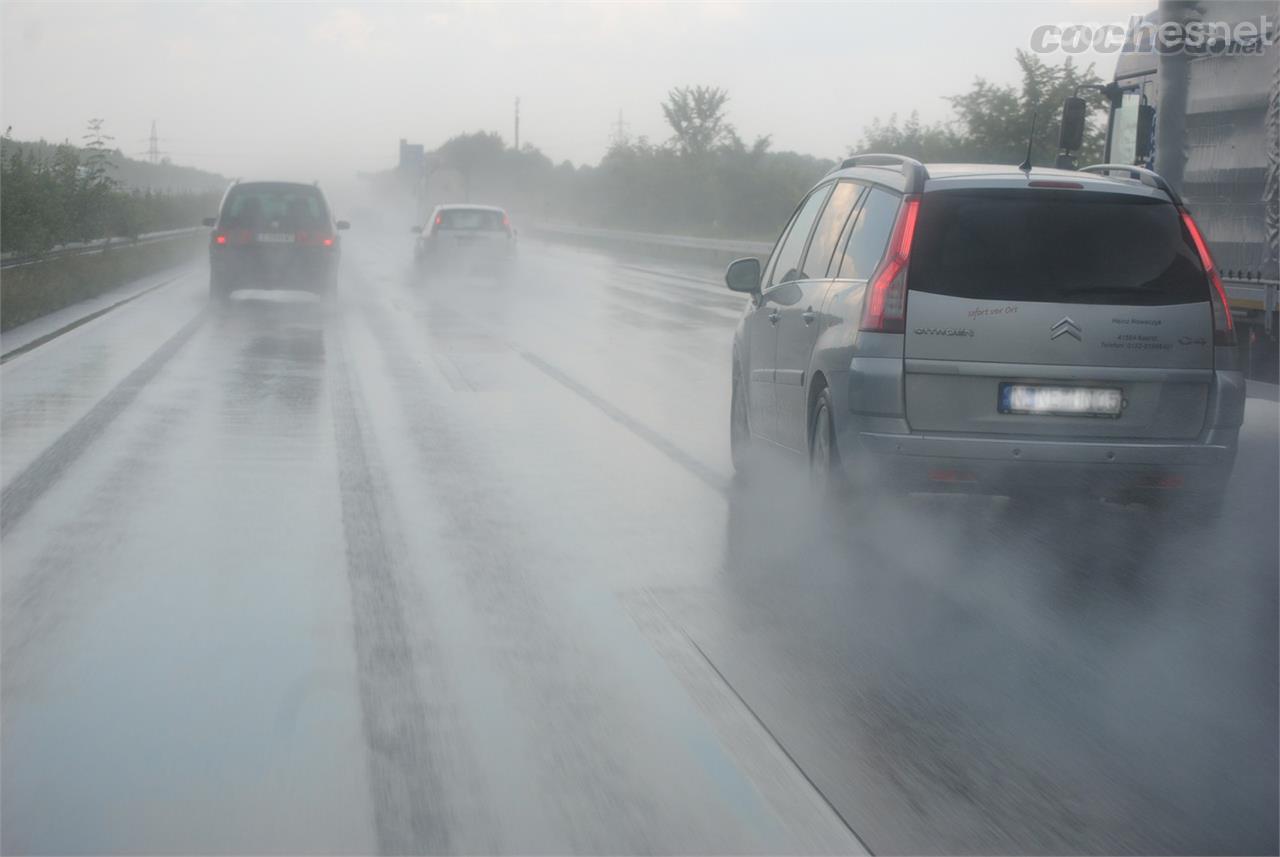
(308, 90)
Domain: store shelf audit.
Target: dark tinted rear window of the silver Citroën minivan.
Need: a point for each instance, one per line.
(1055, 248)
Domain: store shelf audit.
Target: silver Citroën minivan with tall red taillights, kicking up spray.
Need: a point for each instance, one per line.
(991, 329)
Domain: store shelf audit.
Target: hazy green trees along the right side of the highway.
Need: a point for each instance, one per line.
(706, 180)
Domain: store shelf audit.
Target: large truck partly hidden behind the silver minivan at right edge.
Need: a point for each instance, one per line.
(1208, 120)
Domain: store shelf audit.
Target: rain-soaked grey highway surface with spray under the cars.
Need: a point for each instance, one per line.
(461, 567)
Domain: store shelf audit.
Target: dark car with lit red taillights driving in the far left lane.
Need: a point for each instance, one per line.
(273, 236)
